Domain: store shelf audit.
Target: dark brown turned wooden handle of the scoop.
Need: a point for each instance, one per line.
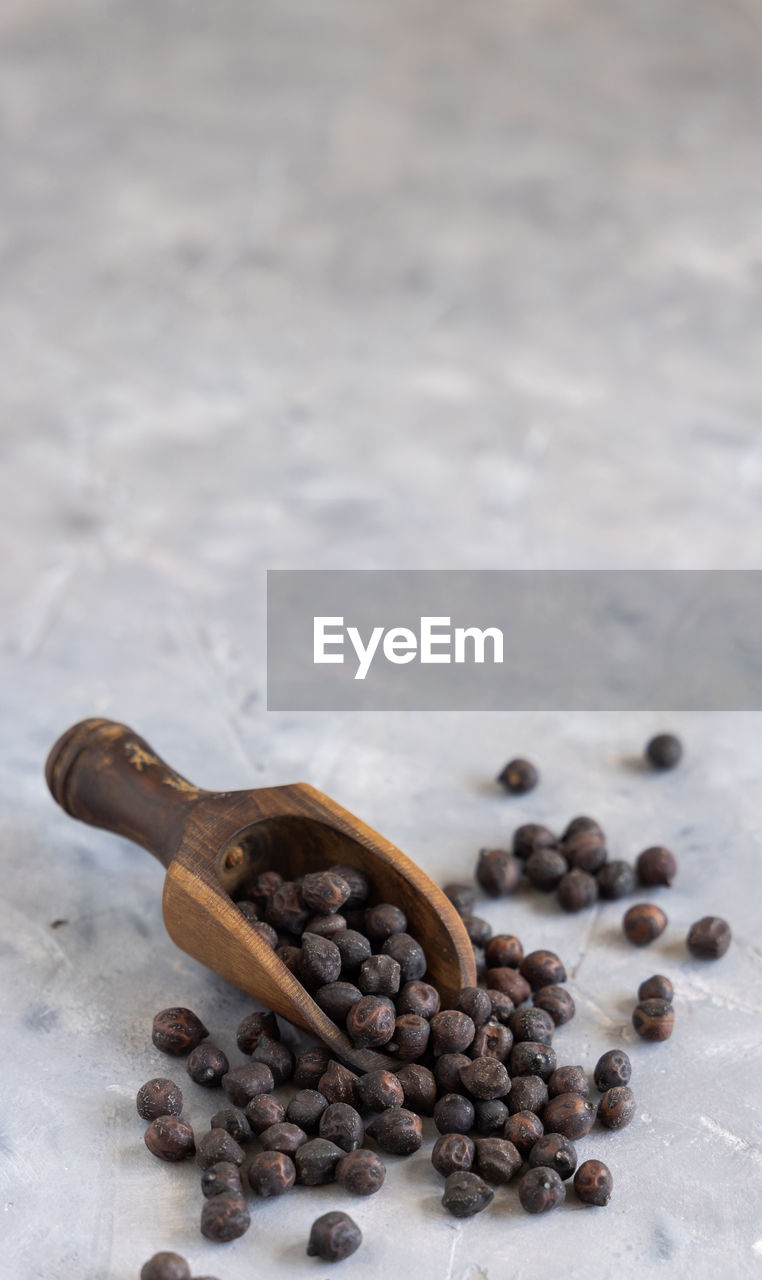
(108, 776)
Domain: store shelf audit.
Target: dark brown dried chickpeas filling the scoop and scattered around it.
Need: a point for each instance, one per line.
(485, 1069)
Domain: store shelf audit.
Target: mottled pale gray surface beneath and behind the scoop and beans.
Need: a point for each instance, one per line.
(355, 286)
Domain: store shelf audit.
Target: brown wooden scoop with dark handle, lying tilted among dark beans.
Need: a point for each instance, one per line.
(215, 843)
